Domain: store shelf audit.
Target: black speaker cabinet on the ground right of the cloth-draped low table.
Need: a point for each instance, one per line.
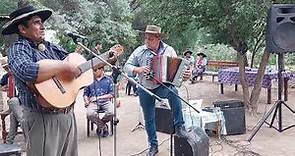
(234, 116)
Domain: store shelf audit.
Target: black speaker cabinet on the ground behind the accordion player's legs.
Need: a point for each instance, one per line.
(164, 121)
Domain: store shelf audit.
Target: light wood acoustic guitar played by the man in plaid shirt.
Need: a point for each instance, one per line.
(59, 92)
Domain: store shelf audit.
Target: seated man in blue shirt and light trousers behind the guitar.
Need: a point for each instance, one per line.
(97, 96)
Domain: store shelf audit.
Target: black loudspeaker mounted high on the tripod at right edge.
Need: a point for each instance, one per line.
(280, 35)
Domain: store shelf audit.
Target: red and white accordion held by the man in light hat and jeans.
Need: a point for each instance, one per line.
(167, 69)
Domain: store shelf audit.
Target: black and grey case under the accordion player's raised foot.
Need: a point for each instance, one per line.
(197, 144)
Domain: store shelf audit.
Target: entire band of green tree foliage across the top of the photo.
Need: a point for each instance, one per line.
(186, 23)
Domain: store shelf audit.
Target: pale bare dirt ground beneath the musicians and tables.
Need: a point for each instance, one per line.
(267, 142)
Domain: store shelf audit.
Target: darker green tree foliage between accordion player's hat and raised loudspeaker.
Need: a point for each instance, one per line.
(229, 22)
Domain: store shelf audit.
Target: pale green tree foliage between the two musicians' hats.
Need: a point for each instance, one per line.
(108, 22)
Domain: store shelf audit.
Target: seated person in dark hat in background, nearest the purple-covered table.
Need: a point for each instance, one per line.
(199, 67)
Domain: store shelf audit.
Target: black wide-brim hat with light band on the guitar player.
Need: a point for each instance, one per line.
(19, 15)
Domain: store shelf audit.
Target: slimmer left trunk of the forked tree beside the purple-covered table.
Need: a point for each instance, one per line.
(243, 80)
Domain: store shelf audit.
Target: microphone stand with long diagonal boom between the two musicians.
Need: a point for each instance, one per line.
(116, 72)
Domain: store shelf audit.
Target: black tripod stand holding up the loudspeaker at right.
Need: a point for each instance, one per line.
(277, 107)
